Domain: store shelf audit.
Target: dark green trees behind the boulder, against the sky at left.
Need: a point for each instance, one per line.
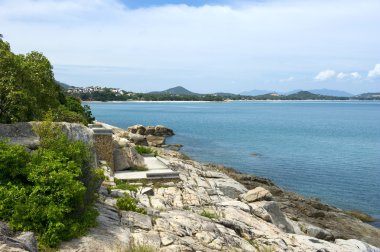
(28, 90)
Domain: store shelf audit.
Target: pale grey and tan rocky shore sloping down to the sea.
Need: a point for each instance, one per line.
(211, 208)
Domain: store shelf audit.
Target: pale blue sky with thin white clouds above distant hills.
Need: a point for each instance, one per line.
(205, 46)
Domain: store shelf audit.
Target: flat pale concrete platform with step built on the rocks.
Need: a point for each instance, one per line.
(157, 169)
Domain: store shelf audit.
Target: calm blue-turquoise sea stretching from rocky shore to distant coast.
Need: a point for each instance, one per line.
(329, 150)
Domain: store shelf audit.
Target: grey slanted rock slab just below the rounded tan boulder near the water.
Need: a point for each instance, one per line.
(276, 216)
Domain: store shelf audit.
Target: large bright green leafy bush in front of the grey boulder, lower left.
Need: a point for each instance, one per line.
(50, 191)
